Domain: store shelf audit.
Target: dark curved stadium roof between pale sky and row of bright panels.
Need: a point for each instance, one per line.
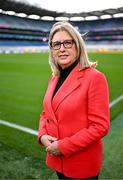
(21, 7)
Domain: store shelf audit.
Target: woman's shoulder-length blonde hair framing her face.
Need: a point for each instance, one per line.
(82, 55)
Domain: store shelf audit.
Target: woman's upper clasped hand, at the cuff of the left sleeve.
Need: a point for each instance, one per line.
(47, 140)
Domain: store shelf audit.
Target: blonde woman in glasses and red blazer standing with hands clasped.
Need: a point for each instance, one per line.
(76, 108)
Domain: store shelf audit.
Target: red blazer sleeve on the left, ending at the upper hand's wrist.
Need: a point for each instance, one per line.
(42, 126)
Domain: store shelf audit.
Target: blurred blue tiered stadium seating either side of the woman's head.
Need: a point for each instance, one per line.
(27, 31)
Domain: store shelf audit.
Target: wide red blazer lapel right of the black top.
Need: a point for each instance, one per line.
(70, 84)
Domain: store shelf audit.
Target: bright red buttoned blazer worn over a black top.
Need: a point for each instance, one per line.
(78, 116)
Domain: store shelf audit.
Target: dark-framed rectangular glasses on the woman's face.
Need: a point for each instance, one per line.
(60, 43)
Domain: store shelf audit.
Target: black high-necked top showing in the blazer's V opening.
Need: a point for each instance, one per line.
(63, 75)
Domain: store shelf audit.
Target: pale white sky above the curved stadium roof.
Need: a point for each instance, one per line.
(75, 6)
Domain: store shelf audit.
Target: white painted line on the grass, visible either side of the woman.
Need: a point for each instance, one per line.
(34, 132)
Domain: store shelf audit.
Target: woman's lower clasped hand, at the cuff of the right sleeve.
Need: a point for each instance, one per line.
(53, 149)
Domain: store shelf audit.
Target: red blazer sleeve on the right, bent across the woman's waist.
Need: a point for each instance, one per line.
(98, 118)
